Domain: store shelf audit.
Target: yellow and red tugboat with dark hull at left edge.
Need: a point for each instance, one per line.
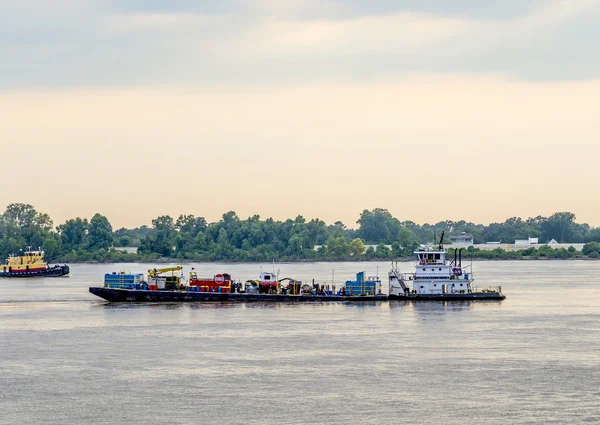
(31, 264)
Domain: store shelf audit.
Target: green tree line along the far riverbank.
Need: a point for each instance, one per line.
(378, 236)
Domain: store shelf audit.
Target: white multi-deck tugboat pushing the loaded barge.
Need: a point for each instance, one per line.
(437, 279)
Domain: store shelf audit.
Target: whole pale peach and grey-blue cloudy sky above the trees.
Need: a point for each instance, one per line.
(435, 110)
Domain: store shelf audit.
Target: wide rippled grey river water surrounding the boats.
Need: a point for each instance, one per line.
(67, 357)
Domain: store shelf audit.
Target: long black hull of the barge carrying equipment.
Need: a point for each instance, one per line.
(144, 296)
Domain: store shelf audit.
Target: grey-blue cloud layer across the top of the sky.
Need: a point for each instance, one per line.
(90, 43)
